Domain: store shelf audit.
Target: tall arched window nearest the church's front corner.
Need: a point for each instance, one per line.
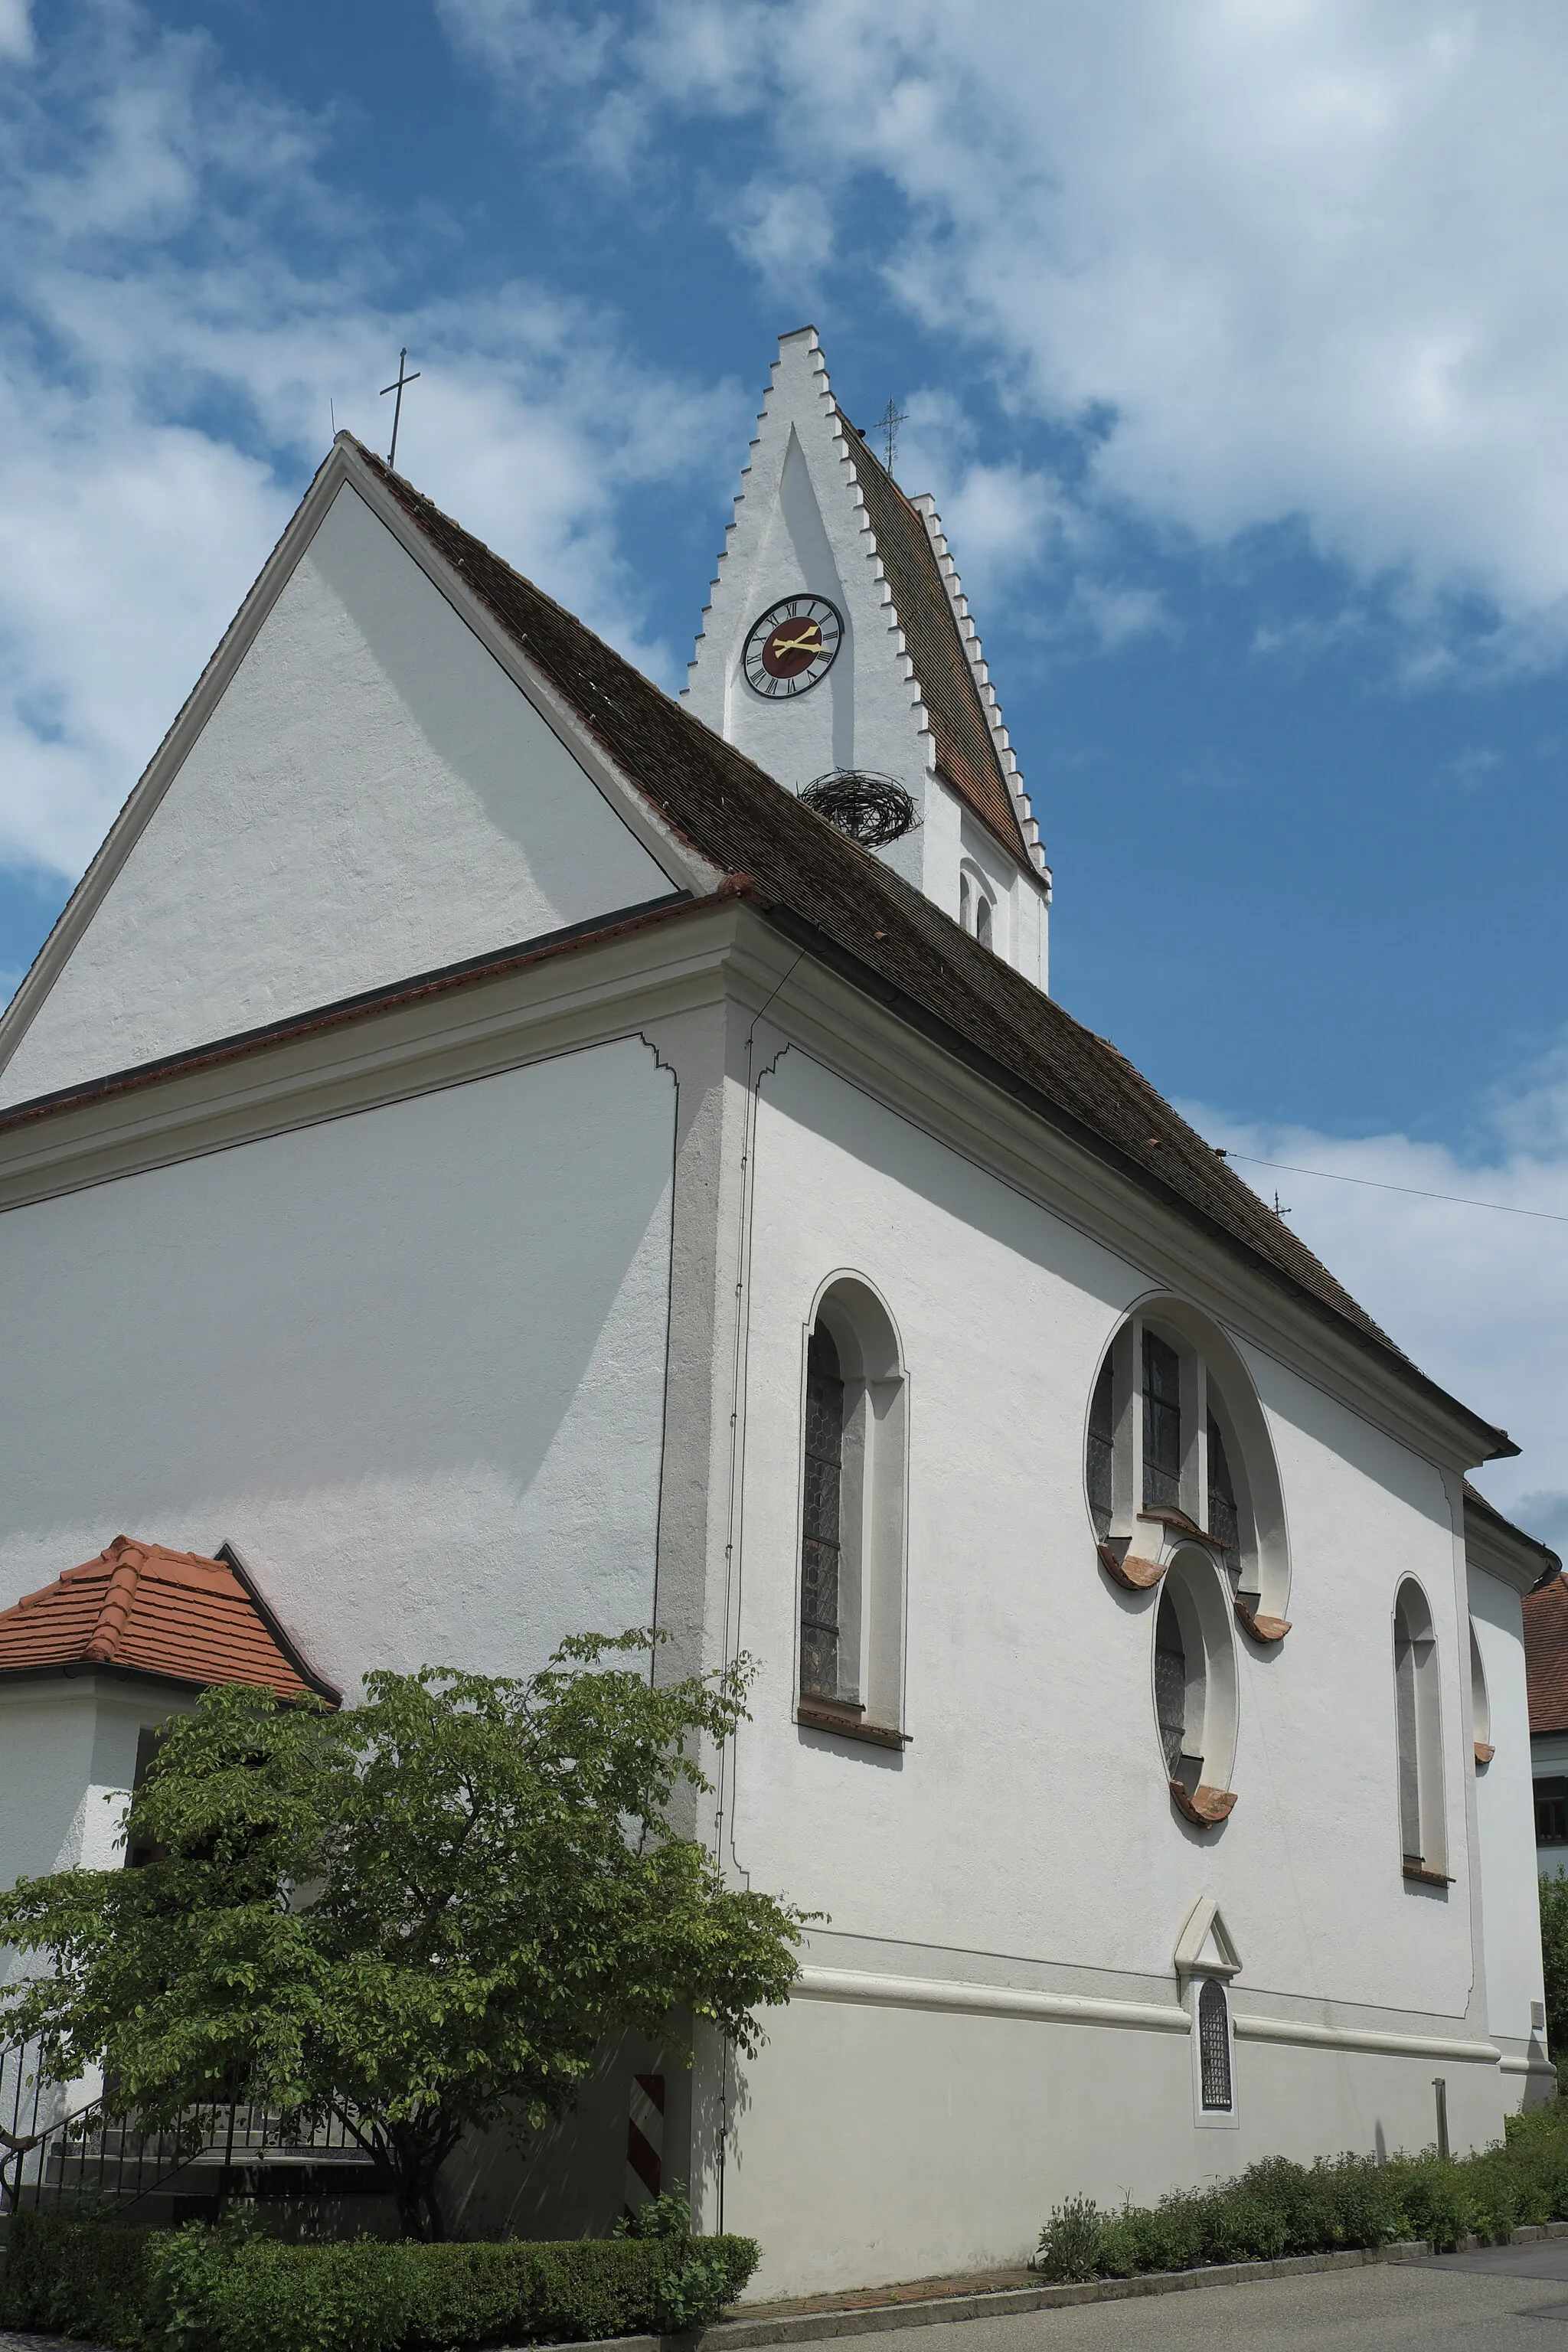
(852, 1556)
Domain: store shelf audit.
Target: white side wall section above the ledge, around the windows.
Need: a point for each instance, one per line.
(1031, 1812)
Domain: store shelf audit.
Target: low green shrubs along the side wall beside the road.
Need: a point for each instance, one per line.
(1280, 2207)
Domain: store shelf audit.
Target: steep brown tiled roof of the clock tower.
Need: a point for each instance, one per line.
(960, 730)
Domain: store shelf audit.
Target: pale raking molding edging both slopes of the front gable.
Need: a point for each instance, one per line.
(340, 469)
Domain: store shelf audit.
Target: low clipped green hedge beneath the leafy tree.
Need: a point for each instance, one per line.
(225, 2292)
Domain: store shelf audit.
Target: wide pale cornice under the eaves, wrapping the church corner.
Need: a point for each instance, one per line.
(615, 987)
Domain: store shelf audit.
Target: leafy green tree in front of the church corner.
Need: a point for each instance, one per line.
(422, 1913)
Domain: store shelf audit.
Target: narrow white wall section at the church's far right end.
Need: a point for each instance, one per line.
(1506, 1812)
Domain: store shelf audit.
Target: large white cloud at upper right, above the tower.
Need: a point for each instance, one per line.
(1296, 260)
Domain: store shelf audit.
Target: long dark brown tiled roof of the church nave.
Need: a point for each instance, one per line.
(885, 935)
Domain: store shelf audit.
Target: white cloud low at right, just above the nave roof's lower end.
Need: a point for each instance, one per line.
(1475, 1297)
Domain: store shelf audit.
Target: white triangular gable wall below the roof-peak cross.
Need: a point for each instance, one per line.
(370, 799)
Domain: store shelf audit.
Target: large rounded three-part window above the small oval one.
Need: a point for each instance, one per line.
(1177, 1450)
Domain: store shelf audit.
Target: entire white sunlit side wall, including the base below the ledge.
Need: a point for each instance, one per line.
(1026, 1836)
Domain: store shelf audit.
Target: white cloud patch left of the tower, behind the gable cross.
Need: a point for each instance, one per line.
(149, 265)
